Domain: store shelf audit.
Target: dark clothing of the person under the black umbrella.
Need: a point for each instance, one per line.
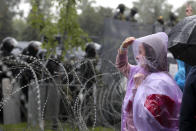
(188, 106)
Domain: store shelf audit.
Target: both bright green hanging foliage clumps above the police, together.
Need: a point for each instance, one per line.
(46, 25)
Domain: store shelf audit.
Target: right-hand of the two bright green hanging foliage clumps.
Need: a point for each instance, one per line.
(68, 25)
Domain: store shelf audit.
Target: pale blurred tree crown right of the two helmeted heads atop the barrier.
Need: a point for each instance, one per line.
(149, 10)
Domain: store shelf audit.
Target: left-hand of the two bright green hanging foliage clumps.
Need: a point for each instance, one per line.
(40, 23)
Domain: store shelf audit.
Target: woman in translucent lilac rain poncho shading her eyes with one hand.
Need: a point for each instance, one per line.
(152, 99)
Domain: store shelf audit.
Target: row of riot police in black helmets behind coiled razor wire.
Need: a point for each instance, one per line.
(45, 67)
